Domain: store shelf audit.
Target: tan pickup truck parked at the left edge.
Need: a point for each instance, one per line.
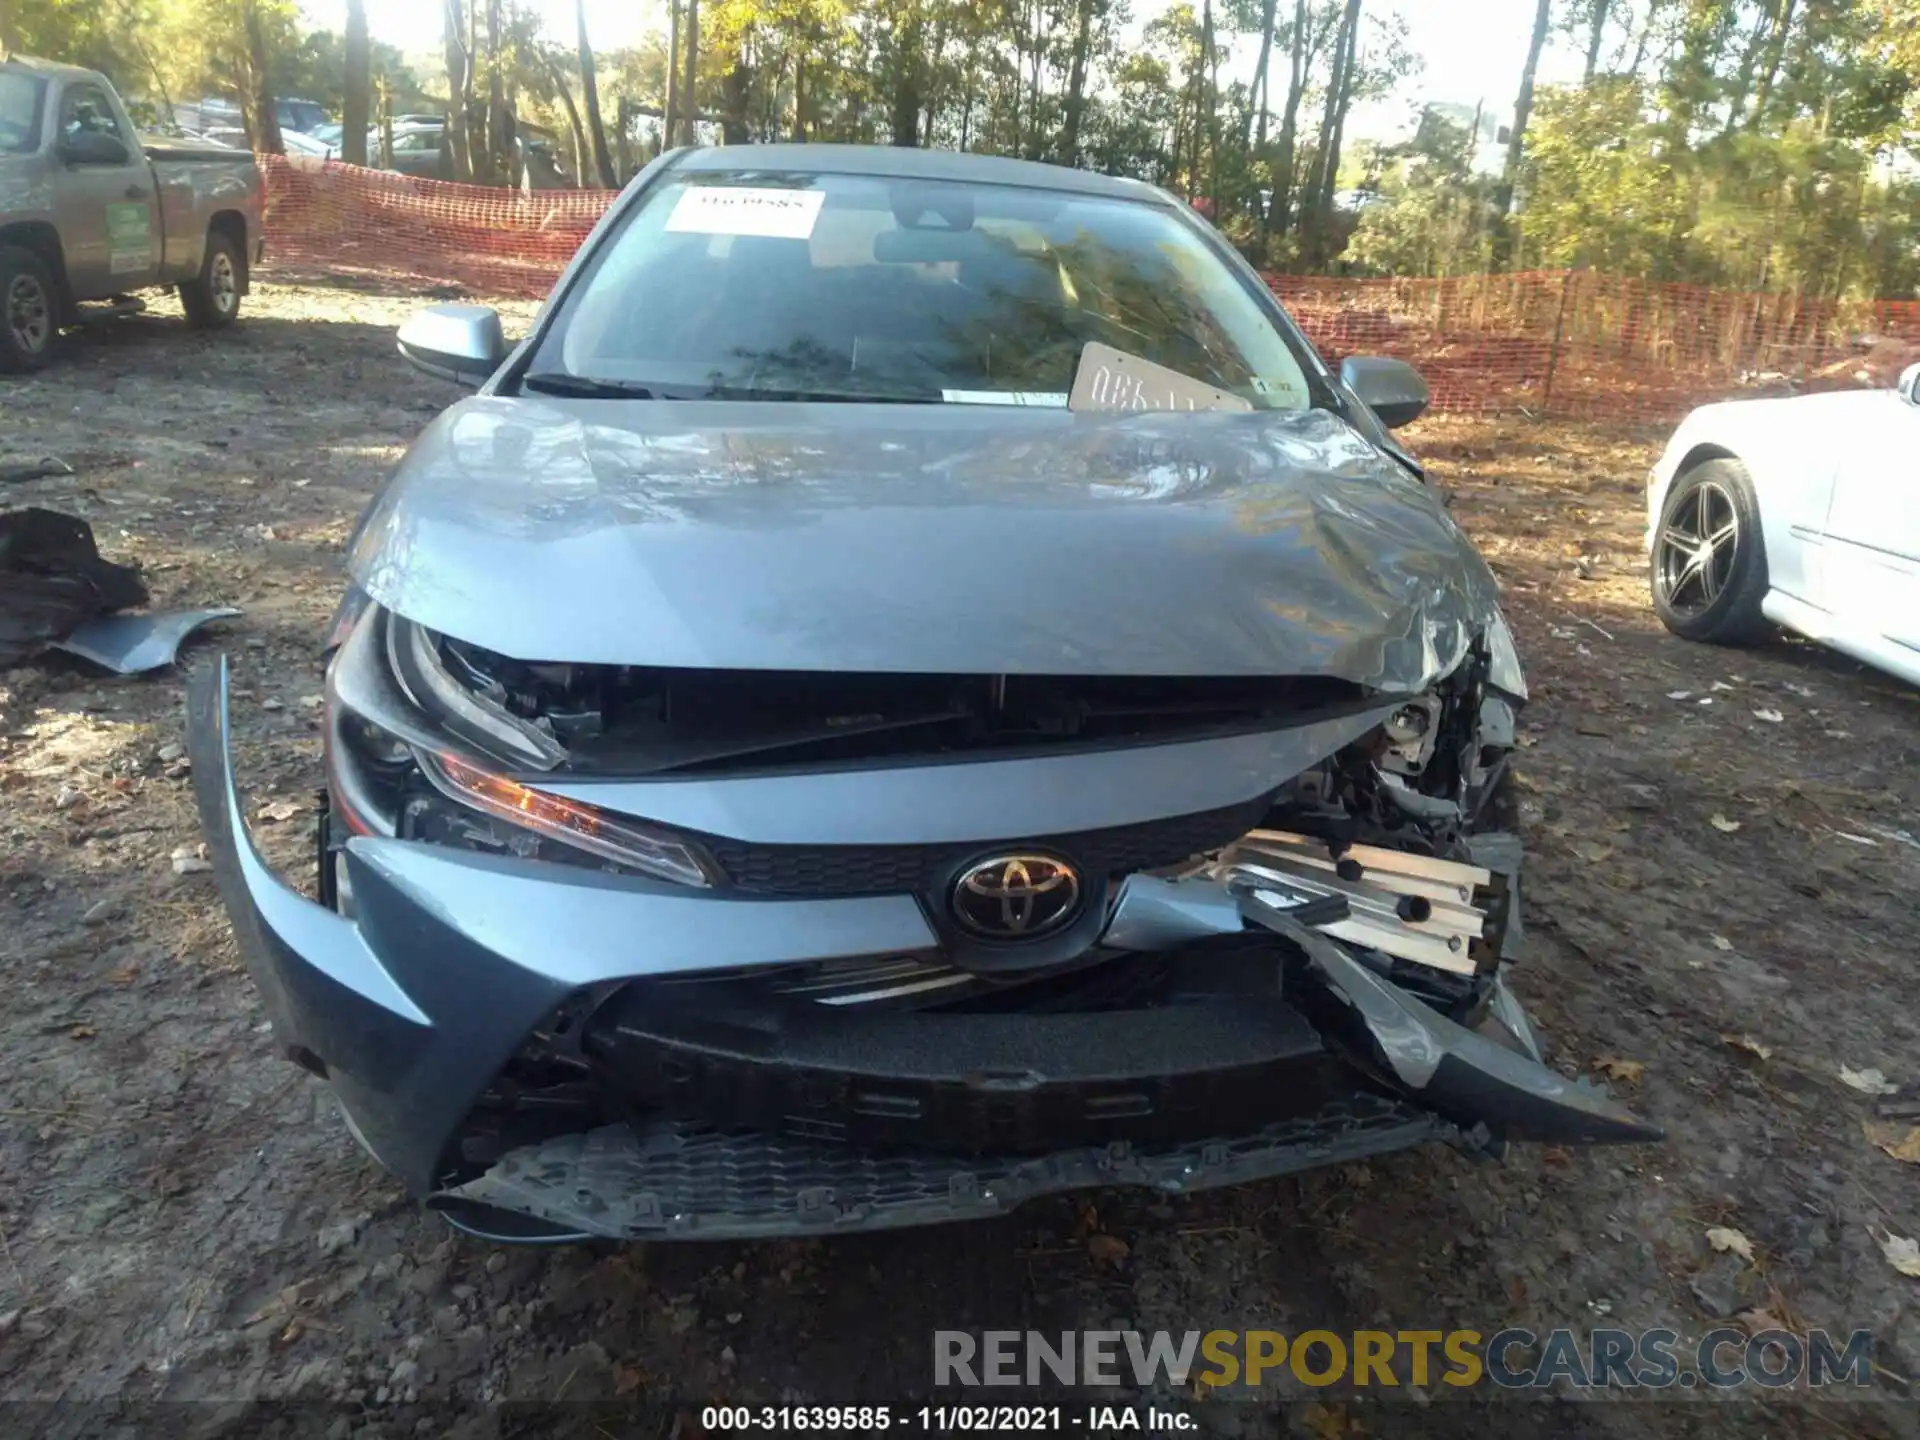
(91, 214)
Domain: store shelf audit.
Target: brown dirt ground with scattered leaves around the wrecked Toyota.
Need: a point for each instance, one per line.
(1721, 911)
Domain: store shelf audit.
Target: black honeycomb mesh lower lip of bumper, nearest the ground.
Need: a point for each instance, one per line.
(688, 1182)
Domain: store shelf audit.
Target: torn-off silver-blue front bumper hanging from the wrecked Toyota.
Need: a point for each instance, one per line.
(452, 961)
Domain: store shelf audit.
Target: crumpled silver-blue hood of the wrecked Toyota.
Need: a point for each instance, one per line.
(923, 539)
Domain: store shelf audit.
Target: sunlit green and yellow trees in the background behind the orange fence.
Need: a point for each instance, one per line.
(1737, 143)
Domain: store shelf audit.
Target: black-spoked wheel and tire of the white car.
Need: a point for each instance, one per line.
(1710, 558)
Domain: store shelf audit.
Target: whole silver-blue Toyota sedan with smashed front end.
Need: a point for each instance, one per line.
(913, 688)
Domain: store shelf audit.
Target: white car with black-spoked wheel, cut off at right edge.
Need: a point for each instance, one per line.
(1798, 514)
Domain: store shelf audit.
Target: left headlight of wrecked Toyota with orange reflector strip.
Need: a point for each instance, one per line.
(398, 708)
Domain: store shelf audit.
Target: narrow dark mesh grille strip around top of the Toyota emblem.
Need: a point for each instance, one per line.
(917, 869)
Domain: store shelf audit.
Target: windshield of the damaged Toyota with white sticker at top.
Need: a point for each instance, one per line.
(842, 287)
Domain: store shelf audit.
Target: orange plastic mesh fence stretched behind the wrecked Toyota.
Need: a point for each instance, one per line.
(1548, 343)
